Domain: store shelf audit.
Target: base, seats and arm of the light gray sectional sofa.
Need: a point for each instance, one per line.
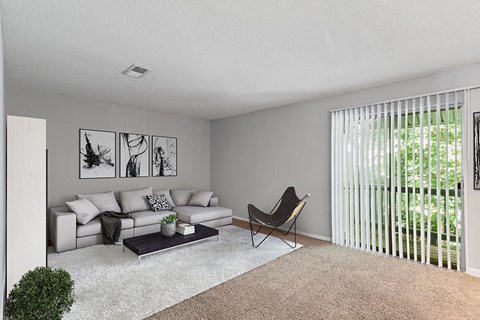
(66, 234)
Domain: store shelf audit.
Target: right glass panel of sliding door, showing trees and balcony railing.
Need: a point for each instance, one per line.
(429, 192)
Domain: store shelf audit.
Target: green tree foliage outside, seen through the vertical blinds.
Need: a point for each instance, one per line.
(419, 158)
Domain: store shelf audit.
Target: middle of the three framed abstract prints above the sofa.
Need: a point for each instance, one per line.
(134, 155)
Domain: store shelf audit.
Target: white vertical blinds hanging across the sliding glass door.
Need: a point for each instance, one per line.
(396, 178)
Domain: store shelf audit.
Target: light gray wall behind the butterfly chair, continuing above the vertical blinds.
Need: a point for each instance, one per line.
(256, 156)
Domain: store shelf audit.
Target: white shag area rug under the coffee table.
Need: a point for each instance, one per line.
(111, 284)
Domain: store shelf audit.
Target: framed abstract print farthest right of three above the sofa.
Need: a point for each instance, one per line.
(164, 156)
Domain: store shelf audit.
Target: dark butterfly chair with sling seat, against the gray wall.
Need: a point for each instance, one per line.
(288, 208)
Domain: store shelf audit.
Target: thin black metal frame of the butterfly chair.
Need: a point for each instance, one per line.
(275, 226)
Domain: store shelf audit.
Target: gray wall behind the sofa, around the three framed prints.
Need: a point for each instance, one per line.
(66, 115)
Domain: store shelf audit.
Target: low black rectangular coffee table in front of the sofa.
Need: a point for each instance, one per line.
(155, 242)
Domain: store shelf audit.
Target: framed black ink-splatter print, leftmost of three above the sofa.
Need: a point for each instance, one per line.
(97, 154)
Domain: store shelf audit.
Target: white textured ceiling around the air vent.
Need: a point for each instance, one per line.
(218, 58)
